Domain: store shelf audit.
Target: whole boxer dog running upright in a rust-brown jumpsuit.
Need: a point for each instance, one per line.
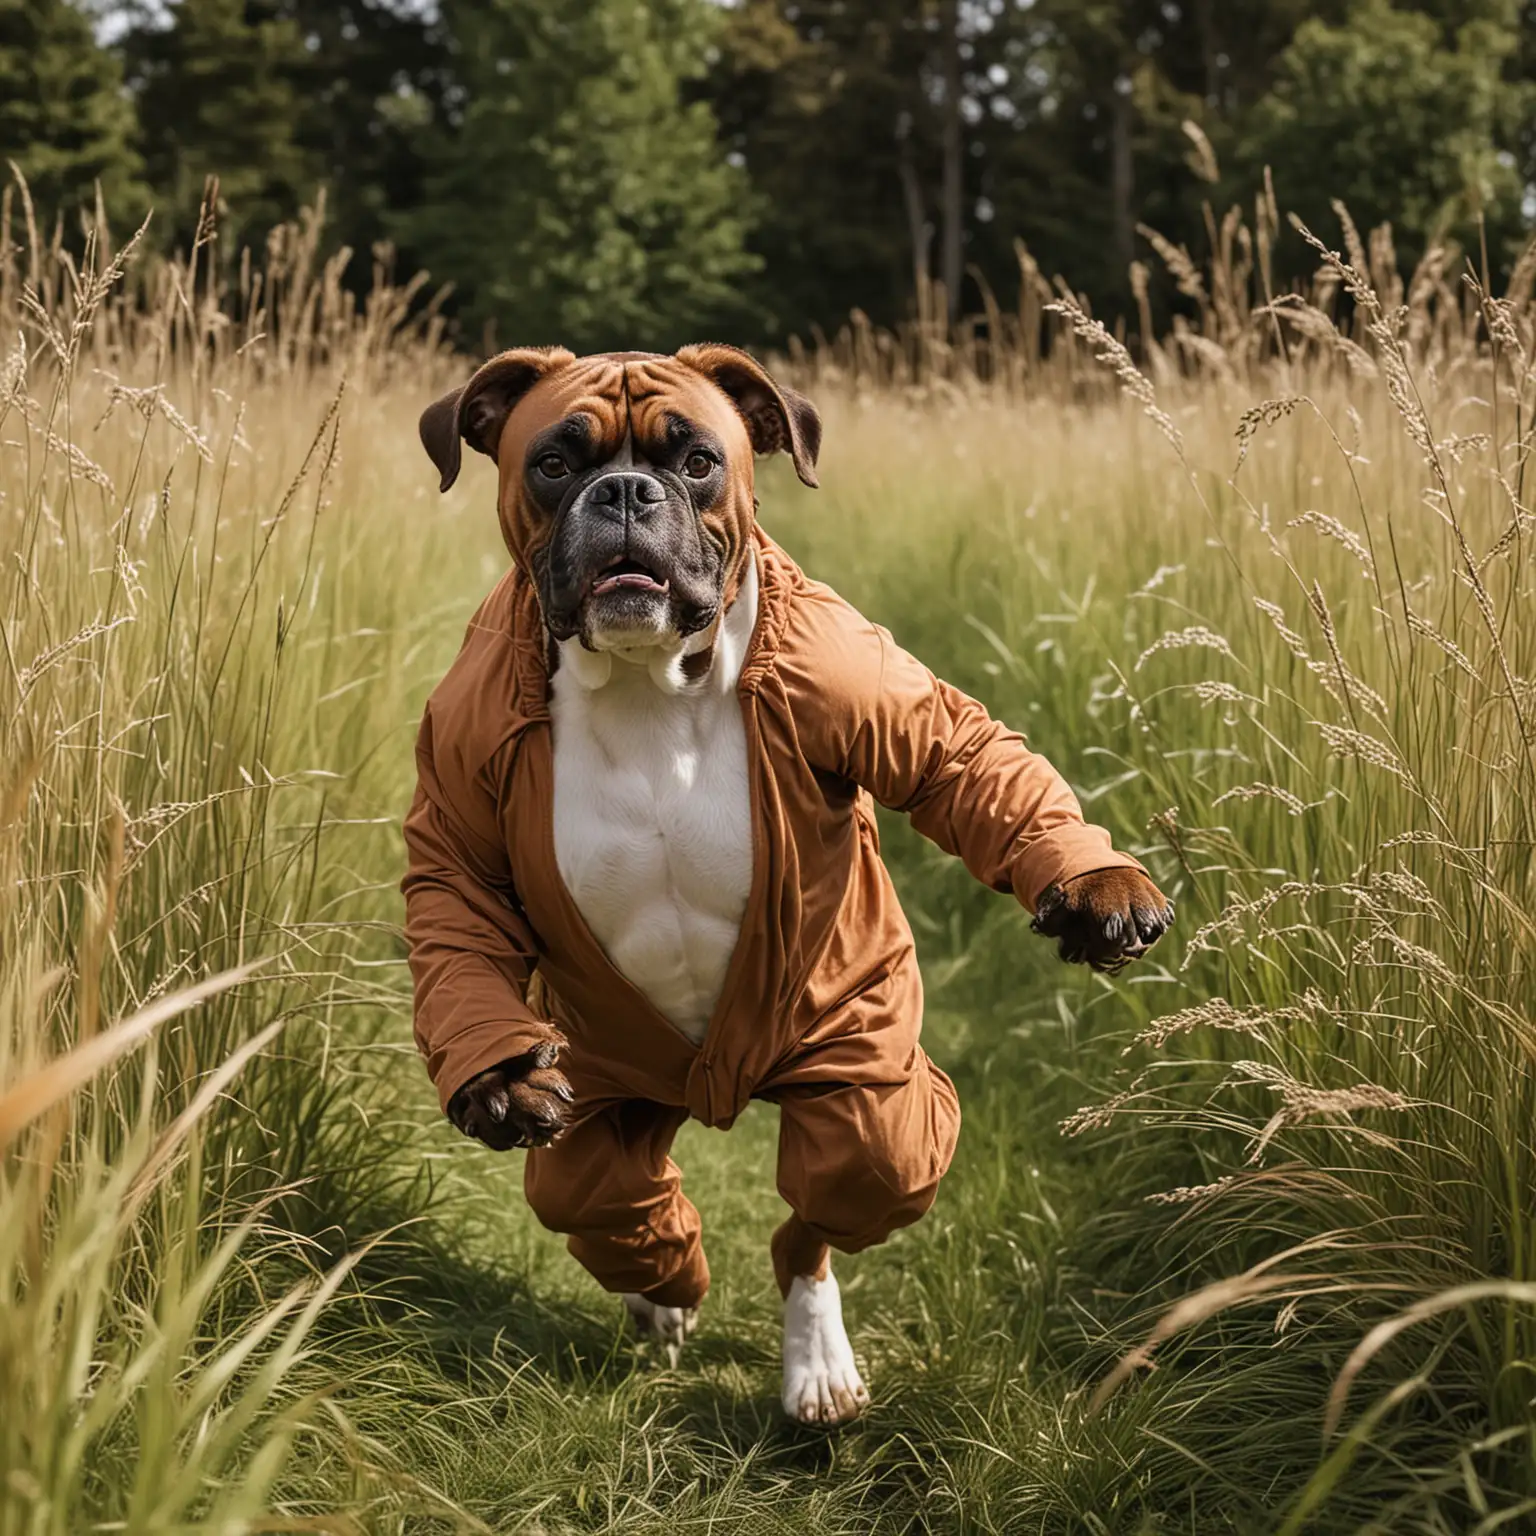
(644, 872)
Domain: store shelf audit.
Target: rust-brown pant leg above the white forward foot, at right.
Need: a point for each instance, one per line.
(859, 1160)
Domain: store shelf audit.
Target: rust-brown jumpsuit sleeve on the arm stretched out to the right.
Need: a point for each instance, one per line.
(968, 783)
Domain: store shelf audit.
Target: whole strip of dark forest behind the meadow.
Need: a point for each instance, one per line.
(643, 171)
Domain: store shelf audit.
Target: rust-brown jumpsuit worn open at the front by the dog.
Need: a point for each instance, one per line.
(823, 1002)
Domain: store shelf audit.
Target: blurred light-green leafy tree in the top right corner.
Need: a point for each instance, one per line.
(1405, 118)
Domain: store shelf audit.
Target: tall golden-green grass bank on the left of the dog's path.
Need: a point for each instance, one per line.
(184, 641)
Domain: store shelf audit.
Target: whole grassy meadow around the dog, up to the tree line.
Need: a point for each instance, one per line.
(1242, 1240)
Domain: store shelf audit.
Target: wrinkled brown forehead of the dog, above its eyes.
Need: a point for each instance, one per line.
(609, 403)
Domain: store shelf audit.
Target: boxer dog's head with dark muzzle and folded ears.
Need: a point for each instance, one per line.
(626, 480)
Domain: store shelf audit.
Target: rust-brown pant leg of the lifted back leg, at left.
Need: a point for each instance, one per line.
(611, 1185)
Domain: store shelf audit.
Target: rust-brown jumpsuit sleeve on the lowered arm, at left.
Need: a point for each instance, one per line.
(472, 952)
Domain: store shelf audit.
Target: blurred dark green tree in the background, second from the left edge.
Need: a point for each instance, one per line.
(217, 91)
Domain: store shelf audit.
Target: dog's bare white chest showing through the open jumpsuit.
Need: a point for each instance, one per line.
(654, 816)
